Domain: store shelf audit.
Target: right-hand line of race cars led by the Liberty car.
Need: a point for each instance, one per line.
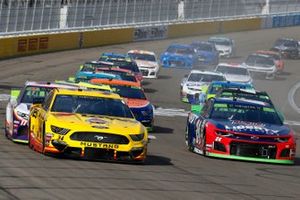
(229, 118)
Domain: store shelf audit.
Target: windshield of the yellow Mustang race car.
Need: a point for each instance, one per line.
(91, 105)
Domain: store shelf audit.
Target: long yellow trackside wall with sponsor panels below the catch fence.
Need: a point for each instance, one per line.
(41, 43)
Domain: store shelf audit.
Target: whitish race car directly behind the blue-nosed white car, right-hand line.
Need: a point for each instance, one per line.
(234, 72)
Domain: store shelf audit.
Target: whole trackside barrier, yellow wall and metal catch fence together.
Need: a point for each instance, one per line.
(60, 29)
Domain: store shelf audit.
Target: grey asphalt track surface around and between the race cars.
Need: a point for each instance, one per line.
(171, 171)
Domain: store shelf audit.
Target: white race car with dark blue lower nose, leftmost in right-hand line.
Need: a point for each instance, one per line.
(191, 86)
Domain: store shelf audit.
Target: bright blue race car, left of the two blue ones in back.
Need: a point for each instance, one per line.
(179, 55)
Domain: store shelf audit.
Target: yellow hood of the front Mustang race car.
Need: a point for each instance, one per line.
(90, 122)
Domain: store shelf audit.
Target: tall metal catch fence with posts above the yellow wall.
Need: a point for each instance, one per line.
(32, 16)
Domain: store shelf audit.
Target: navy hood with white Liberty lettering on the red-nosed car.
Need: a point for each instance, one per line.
(259, 129)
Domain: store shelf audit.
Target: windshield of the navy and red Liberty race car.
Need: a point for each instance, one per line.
(245, 112)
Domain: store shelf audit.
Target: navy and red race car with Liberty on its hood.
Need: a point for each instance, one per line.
(240, 129)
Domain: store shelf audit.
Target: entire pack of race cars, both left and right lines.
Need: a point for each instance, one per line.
(103, 113)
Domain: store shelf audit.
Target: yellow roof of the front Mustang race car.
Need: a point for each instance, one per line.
(81, 92)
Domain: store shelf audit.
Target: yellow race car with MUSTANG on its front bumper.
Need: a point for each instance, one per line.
(87, 124)
